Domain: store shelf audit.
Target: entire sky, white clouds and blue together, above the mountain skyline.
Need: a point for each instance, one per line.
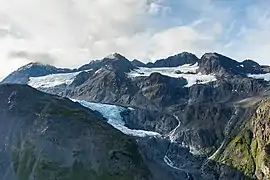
(68, 33)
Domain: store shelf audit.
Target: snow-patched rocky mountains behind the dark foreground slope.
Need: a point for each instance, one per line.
(188, 101)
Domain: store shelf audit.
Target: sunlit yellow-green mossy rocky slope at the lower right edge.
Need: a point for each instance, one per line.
(248, 150)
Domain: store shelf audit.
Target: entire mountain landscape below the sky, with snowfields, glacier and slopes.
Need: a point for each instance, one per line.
(182, 117)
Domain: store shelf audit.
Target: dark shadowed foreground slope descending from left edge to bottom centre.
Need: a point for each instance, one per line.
(46, 137)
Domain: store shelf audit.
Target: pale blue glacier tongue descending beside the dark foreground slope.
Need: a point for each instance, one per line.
(113, 114)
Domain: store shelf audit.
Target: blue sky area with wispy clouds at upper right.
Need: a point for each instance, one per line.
(238, 28)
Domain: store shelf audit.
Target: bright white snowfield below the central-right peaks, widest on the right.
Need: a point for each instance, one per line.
(186, 71)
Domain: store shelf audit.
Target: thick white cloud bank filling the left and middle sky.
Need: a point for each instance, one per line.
(73, 32)
